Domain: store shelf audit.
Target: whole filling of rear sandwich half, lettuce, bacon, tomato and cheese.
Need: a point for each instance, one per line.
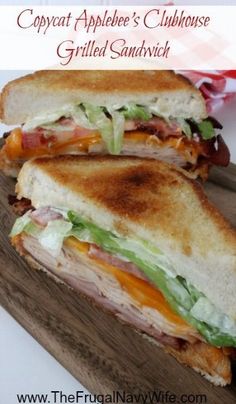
(85, 128)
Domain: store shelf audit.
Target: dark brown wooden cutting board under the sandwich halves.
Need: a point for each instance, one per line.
(103, 354)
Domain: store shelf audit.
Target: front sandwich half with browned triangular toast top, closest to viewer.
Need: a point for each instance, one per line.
(142, 240)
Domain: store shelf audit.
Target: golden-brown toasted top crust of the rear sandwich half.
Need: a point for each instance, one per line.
(137, 81)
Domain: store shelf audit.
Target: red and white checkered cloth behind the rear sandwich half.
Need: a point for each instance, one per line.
(217, 86)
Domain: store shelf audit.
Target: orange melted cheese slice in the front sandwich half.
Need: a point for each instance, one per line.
(140, 290)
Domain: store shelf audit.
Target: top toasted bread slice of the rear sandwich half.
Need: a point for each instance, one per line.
(47, 91)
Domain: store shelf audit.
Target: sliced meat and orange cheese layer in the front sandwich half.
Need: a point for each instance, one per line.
(131, 299)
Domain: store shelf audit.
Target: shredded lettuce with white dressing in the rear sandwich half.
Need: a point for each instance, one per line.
(110, 122)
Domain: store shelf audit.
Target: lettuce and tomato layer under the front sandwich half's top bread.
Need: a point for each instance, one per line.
(53, 228)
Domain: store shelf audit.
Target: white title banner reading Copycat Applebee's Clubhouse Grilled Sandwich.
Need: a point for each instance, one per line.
(122, 37)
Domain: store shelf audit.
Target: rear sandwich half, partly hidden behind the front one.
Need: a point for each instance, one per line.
(156, 114)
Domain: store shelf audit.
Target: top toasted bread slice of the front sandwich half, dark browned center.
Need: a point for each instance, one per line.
(134, 197)
